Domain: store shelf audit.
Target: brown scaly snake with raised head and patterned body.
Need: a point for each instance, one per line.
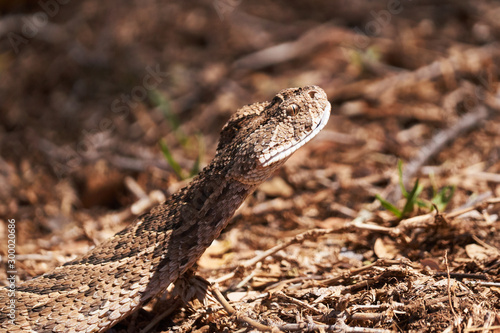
(95, 291)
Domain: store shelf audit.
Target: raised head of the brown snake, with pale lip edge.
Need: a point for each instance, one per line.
(262, 136)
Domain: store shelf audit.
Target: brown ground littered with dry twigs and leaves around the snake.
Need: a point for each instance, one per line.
(90, 89)
